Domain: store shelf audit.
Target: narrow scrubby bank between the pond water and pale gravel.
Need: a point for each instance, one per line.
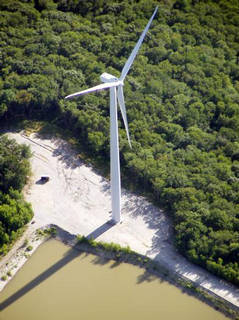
(105, 251)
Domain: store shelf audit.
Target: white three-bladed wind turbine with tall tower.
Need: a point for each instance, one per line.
(113, 83)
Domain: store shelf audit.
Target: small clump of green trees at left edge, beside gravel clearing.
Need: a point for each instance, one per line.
(14, 211)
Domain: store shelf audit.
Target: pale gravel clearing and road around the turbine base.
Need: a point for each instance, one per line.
(77, 199)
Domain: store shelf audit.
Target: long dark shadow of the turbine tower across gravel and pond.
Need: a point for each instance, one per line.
(68, 257)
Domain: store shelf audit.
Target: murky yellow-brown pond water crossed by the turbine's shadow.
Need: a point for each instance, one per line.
(60, 283)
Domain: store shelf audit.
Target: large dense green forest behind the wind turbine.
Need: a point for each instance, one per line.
(182, 99)
